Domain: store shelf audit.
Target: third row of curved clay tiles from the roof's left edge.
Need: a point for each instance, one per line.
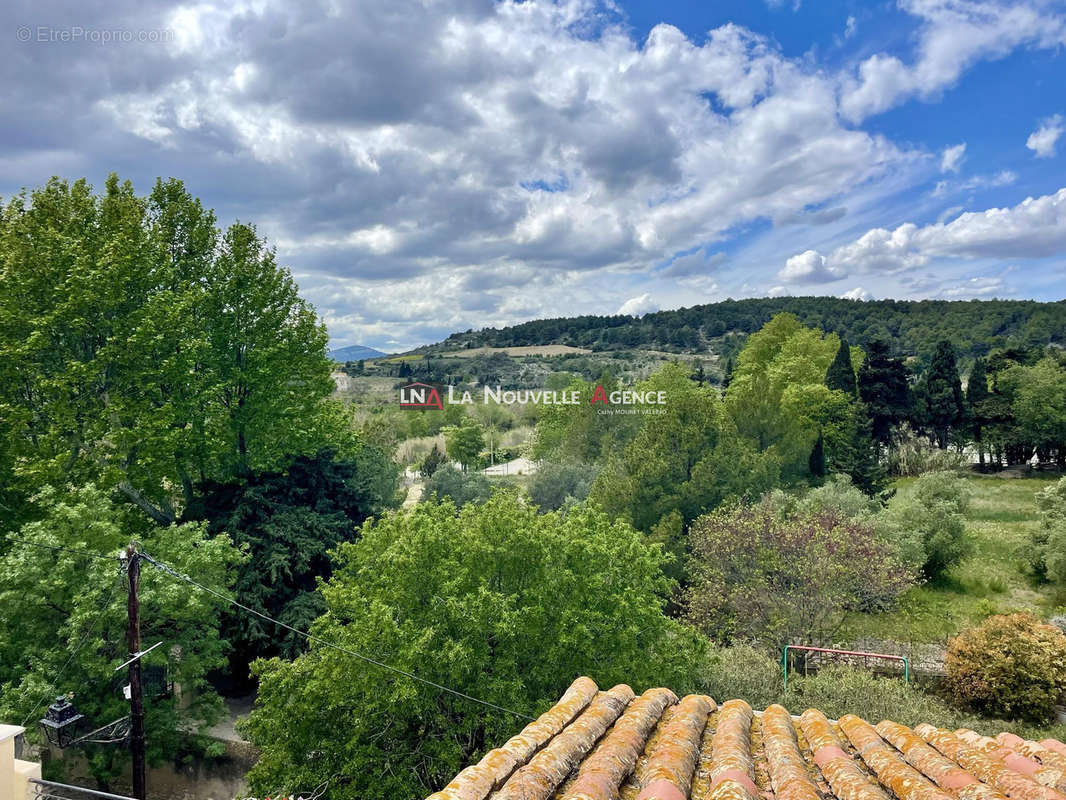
(604, 772)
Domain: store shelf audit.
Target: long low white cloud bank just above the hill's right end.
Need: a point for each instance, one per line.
(1035, 229)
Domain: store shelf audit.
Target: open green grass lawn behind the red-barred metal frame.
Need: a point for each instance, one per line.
(992, 580)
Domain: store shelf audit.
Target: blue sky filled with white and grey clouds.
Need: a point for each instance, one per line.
(426, 167)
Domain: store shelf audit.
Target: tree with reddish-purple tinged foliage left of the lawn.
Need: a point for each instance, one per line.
(757, 574)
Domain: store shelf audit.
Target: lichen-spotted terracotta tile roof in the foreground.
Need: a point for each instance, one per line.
(611, 745)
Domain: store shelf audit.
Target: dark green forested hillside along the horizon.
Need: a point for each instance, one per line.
(974, 326)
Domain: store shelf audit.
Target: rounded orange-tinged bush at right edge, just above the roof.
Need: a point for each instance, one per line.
(1011, 665)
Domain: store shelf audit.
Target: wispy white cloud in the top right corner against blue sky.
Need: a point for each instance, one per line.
(954, 36)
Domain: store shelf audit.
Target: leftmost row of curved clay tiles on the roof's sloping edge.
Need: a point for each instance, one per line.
(476, 782)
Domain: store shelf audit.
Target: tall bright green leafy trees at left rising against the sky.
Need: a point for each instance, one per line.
(146, 350)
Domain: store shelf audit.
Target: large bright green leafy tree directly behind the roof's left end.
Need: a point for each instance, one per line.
(496, 601)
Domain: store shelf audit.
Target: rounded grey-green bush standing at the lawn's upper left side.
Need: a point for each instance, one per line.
(926, 523)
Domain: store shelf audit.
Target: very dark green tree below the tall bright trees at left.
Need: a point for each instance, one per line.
(288, 522)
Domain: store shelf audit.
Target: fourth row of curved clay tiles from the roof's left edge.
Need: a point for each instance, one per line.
(671, 765)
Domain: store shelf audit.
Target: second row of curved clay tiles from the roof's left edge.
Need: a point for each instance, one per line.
(539, 779)
